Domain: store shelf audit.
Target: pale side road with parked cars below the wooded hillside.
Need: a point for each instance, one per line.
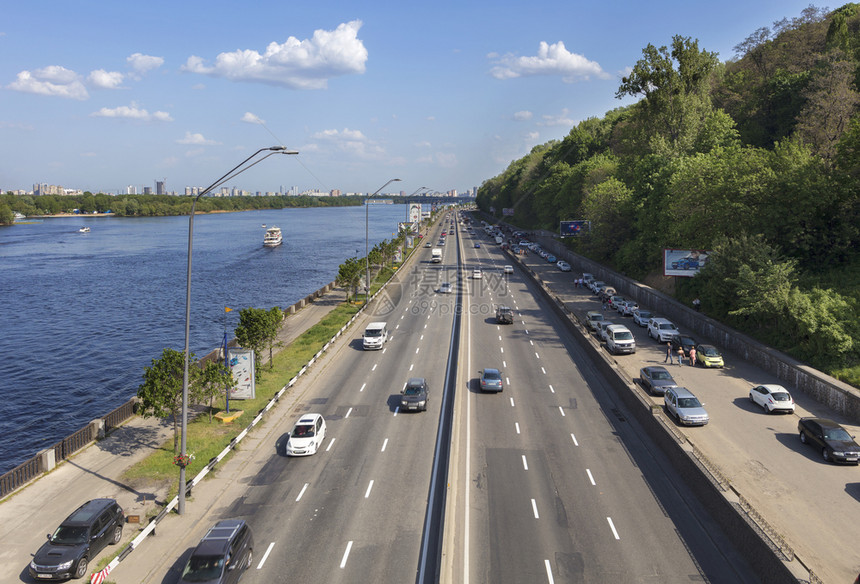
(812, 504)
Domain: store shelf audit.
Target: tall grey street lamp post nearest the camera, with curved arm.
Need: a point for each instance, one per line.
(236, 170)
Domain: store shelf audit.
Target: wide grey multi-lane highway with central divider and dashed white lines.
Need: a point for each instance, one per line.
(548, 481)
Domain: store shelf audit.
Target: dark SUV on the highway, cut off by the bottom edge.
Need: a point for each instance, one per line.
(222, 555)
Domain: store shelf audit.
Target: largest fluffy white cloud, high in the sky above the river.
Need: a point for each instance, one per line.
(305, 64)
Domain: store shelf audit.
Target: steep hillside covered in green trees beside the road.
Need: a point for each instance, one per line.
(756, 159)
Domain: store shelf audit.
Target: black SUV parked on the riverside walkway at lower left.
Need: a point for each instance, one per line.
(77, 540)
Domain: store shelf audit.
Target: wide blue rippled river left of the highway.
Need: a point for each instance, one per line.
(83, 313)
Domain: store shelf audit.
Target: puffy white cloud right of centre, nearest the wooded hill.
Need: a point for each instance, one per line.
(552, 59)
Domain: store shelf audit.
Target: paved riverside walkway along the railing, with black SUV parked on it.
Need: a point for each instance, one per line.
(36, 509)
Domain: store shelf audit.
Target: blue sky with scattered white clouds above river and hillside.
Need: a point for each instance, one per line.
(444, 95)
